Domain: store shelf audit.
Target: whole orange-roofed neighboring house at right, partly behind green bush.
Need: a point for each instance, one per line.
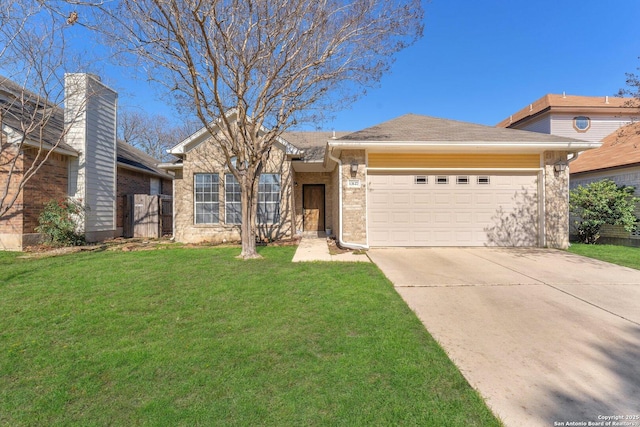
(607, 119)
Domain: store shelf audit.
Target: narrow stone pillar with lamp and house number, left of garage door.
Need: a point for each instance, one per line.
(354, 200)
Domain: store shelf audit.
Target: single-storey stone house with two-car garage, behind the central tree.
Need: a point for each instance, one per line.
(411, 181)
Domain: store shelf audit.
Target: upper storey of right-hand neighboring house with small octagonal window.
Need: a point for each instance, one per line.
(589, 118)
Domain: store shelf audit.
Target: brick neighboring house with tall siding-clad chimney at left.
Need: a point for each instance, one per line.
(89, 164)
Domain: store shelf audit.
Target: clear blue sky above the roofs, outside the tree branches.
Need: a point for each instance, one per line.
(480, 61)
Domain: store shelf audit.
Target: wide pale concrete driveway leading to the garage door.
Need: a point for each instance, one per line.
(545, 336)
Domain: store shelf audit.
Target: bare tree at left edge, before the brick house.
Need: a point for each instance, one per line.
(32, 59)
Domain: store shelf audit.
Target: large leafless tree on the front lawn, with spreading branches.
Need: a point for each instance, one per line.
(252, 69)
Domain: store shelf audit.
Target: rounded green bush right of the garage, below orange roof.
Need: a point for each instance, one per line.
(599, 203)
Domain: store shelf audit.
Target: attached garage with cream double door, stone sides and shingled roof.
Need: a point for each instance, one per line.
(424, 181)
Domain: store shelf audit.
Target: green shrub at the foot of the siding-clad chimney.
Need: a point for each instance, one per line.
(58, 222)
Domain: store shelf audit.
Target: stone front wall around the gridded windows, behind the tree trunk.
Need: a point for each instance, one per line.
(207, 158)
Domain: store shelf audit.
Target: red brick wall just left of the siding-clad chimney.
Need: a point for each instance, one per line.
(51, 182)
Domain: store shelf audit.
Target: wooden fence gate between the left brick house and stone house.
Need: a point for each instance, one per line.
(148, 216)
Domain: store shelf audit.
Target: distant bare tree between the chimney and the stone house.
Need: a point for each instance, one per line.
(153, 134)
